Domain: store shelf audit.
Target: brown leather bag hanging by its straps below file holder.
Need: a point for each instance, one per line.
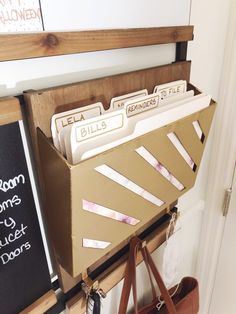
(181, 299)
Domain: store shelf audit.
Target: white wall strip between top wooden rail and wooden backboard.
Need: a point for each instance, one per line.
(17, 76)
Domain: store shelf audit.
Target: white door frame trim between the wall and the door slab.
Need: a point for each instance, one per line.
(221, 168)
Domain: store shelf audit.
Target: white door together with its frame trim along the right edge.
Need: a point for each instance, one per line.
(216, 269)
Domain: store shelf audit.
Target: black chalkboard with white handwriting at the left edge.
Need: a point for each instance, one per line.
(24, 274)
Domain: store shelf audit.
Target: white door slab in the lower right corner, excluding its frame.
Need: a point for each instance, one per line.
(223, 299)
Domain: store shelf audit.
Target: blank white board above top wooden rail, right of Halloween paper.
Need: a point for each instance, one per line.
(69, 15)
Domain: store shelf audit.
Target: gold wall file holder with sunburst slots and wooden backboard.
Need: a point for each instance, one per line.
(67, 186)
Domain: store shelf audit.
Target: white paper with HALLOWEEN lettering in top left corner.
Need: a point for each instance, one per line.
(20, 15)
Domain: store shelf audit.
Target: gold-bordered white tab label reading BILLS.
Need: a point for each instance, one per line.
(99, 127)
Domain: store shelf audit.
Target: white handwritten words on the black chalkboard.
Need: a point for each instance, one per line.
(13, 230)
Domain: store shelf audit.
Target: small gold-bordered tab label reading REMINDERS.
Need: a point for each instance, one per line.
(135, 107)
